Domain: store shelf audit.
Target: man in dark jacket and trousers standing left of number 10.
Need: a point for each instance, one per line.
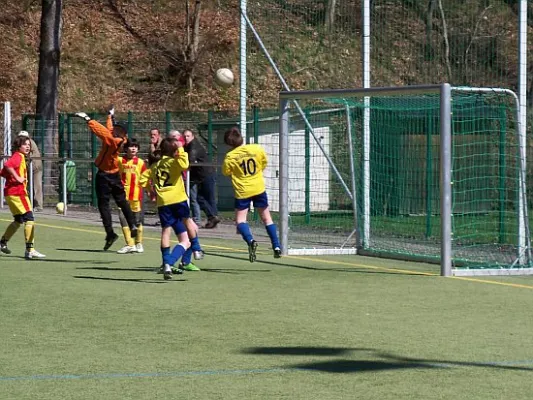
(202, 182)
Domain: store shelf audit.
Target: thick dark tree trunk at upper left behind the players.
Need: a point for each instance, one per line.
(47, 86)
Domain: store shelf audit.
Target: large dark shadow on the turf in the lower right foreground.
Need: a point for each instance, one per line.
(388, 361)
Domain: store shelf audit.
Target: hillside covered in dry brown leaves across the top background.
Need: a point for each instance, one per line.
(131, 52)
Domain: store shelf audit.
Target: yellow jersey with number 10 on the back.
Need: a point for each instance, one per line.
(245, 165)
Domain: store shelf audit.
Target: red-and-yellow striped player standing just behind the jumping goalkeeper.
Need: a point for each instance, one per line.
(131, 168)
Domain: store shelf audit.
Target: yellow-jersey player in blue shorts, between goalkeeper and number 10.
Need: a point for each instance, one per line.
(166, 176)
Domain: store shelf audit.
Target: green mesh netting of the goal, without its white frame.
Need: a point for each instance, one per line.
(403, 186)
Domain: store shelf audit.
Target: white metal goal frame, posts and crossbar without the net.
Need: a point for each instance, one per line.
(445, 93)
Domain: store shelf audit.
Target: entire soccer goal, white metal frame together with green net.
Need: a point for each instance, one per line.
(428, 173)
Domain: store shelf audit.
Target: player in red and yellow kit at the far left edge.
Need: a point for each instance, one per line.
(16, 195)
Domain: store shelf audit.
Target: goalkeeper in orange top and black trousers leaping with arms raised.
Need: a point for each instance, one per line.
(108, 182)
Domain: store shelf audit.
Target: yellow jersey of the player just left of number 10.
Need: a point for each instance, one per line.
(167, 178)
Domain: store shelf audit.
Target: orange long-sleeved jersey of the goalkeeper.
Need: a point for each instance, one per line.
(107, 159)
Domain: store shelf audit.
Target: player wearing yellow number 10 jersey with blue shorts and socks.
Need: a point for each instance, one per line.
(245, 163)
